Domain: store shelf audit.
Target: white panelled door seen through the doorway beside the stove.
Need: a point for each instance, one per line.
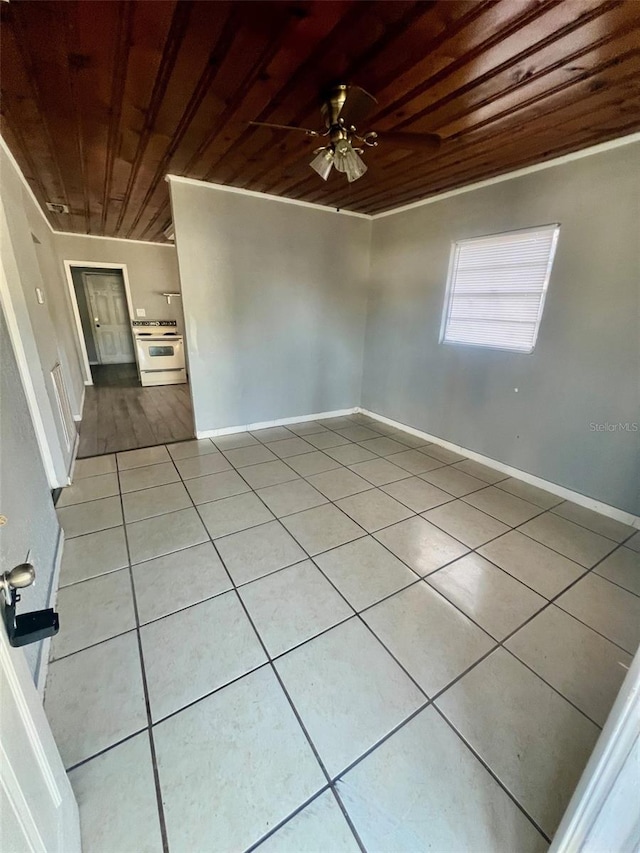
(110, 317)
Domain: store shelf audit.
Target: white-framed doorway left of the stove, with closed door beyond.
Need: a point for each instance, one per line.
(104, 317)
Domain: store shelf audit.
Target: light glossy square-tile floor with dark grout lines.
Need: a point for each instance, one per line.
(330, 637)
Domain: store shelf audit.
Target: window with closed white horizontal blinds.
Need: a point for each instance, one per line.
(496, 289)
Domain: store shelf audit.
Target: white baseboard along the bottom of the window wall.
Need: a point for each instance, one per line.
(562, 492)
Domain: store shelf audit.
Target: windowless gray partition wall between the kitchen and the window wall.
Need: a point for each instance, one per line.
(274, 298)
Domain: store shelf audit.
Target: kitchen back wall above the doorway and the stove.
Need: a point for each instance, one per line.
(152, 270)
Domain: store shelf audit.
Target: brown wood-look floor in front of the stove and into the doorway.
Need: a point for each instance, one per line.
(120, 414)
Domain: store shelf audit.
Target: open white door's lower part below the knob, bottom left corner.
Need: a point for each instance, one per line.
(38, 810)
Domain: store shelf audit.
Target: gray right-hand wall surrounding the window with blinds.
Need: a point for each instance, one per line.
(586, 364)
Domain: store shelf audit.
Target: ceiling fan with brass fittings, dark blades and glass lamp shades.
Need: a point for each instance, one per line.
(344, 108)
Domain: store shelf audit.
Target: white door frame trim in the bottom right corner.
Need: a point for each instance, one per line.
(608, 781)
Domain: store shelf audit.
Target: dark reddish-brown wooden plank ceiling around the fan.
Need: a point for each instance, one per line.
(102, 99)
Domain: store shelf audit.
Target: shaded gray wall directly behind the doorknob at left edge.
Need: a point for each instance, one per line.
(25, 498)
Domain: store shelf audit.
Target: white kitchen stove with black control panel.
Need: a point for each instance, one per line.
(159, 352)
